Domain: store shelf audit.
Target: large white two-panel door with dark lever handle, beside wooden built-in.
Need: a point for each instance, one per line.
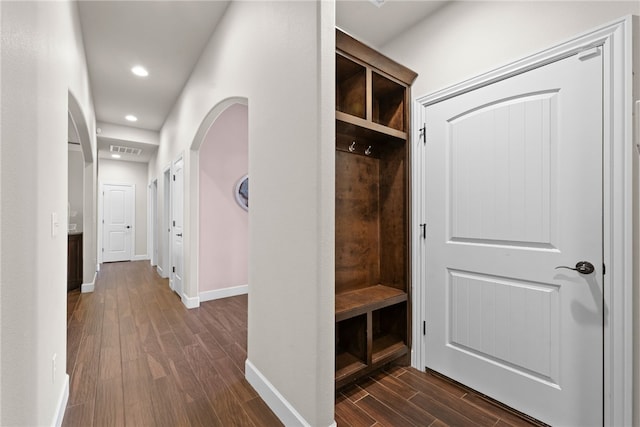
(513, 189)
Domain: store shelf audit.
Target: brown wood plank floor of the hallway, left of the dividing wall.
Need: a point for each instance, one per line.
(137, 357)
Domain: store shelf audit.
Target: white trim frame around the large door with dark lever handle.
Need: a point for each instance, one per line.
(616, 41)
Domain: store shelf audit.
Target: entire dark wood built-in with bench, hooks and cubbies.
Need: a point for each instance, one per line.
(372, 310)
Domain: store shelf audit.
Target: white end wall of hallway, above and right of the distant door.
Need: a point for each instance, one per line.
(120, 172)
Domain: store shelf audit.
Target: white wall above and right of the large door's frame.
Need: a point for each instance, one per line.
(465, 39)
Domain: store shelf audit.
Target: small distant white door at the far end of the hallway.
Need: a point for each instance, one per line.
(118, 222)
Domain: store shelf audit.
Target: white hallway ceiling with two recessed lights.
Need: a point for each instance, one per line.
(166, 37)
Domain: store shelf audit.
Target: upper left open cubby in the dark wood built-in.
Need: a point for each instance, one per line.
(351, 87)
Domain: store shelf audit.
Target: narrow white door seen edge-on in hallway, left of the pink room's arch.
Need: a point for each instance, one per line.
(177, 217)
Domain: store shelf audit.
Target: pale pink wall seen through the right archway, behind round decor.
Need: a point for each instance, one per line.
(224, 237)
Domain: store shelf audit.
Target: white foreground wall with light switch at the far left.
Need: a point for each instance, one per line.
(42, 61)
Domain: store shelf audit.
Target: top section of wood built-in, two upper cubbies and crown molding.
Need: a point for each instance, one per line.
(372, 91)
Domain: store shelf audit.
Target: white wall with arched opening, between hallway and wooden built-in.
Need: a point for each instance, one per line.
(279, 56)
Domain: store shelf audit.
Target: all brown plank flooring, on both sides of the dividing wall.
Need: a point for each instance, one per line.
(137, 357)
